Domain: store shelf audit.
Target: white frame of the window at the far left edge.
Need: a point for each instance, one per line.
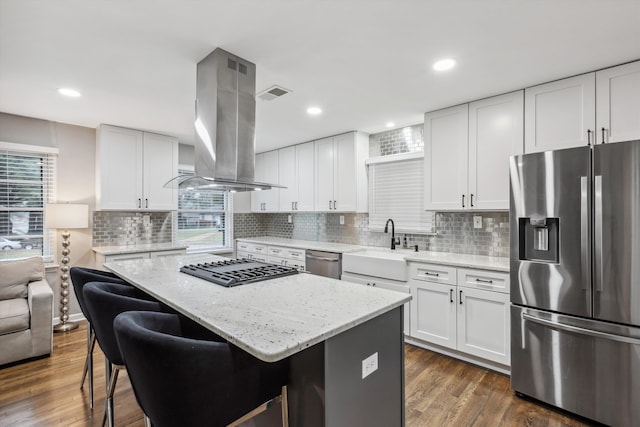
(49, 190)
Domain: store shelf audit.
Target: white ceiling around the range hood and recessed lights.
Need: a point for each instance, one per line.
(365, 62)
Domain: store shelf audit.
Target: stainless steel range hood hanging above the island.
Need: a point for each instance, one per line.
(225, 126)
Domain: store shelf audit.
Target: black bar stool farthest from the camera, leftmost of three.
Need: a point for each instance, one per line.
(80, 276)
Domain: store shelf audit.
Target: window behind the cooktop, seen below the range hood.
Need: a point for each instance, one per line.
(205, 218)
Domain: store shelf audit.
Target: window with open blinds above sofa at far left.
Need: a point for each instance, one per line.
(27, 184)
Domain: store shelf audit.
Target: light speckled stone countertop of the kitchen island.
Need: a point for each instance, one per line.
(272, 319)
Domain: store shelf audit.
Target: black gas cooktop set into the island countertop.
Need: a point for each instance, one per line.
(236, 272)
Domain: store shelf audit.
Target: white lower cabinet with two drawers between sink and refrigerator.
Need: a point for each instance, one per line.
(469, 314)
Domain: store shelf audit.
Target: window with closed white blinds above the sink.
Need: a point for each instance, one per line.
(396, 191)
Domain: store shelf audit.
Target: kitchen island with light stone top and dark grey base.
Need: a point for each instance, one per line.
(344, 342)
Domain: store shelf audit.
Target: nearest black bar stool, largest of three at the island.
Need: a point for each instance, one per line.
(194, 381)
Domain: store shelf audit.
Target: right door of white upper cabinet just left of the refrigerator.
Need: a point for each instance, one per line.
(495, 133)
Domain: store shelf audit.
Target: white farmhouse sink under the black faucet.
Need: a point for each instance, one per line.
(378, 262)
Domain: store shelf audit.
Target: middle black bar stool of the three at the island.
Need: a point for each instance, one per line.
(104, 302)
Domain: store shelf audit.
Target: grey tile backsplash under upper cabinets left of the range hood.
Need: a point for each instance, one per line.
(131, 228)
